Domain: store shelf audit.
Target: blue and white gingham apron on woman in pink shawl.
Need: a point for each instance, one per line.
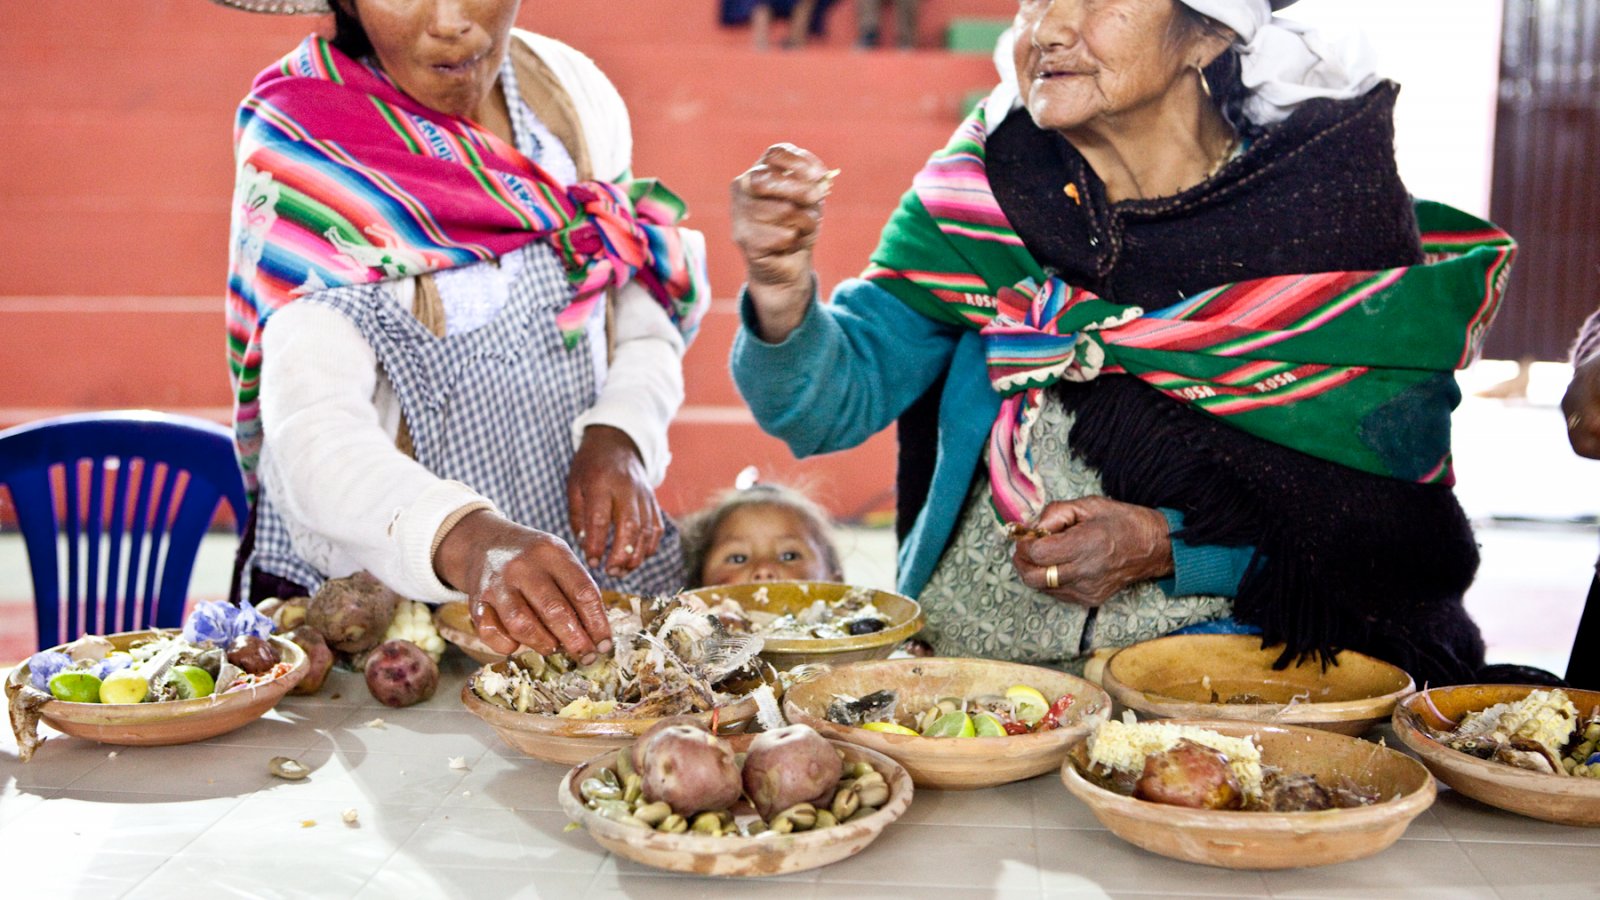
(492, 408)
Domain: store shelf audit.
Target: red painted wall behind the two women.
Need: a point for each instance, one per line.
(116, 172)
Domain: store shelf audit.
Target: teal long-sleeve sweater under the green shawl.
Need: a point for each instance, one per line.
(852, 369)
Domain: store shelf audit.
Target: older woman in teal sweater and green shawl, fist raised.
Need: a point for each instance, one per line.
(1188, 350)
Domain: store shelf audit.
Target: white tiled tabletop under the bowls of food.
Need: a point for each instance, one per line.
(209, 821)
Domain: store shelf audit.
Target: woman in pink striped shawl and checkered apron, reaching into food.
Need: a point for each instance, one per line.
(455, 323)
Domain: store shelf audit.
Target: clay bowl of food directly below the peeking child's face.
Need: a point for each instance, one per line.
(780, 611)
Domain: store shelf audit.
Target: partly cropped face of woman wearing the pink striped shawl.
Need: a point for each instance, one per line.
(442, 54)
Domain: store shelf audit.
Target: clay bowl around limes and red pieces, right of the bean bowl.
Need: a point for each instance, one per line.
(953, 763)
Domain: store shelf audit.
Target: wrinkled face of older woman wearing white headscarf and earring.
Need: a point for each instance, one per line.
(1086, 60)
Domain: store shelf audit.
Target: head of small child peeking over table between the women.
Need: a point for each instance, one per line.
(764, 532)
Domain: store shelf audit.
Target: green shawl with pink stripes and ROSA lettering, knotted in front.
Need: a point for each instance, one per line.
(1319, 363)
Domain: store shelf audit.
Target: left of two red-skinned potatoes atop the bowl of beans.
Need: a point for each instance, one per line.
(689, 768)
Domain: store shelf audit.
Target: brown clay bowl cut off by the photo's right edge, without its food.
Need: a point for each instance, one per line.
(1554, 798)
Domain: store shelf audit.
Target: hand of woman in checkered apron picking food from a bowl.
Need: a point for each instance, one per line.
(524, 589)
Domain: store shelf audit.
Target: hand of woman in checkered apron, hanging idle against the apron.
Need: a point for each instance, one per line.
(610, 496)
